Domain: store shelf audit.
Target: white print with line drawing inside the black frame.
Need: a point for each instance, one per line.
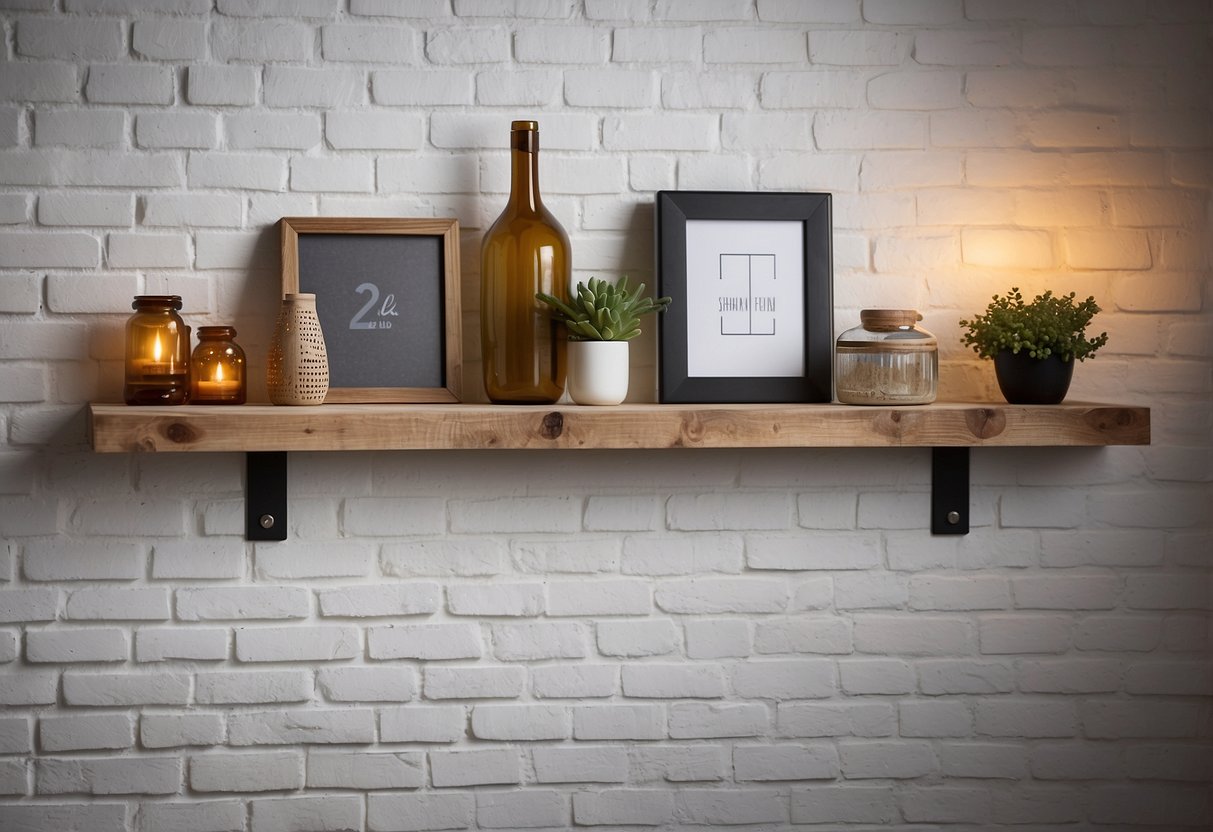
(745, 299)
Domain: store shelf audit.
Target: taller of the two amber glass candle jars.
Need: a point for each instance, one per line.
(157, 352)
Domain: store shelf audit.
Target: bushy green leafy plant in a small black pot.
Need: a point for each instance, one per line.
(1034, 346)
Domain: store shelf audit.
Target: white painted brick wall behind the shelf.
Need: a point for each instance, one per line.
(750, 641)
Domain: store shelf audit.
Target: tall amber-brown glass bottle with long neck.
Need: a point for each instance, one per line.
(526, 252)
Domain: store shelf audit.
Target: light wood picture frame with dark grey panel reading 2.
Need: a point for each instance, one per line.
(388, 294)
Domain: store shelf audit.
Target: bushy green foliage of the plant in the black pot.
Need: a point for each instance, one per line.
(1050, 326)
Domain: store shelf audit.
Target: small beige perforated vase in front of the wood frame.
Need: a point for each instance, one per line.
(298, 372)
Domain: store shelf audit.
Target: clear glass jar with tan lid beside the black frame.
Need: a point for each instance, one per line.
(887, 360)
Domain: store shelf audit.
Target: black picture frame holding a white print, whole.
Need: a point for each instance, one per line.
(753, 284)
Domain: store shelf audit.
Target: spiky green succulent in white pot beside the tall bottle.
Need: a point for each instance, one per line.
(601, 320)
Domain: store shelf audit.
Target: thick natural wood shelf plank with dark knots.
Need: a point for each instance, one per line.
(117, 429)
